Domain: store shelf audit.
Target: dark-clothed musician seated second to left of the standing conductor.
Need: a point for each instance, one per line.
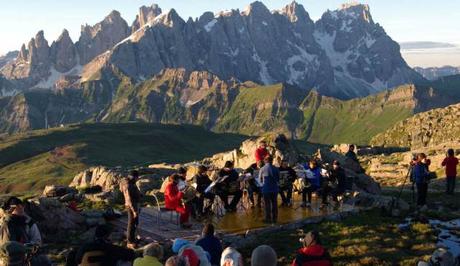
(229, 186)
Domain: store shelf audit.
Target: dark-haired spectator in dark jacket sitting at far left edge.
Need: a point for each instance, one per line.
(17, 225)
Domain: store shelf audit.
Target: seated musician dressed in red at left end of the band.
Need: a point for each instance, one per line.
(173, 200)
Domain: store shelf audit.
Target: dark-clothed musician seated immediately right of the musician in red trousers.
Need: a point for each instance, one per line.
(202, 181)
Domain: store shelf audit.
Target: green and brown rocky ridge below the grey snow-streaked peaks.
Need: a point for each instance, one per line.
(177, 96)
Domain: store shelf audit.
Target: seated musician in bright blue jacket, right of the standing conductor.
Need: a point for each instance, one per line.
(314, 179)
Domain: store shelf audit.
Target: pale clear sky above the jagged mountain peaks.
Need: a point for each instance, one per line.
(404, 20)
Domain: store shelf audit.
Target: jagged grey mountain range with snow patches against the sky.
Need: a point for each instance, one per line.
(344, 54)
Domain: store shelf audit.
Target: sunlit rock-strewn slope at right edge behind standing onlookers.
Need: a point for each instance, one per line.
(435, 127)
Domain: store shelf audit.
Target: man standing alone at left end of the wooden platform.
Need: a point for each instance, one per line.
(132, 197)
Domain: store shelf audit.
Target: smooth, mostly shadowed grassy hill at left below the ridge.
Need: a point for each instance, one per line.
(29, 161)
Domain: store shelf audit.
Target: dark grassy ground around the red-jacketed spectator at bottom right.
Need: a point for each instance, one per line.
(365, 239)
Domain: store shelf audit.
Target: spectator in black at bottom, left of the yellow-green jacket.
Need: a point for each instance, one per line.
(102, 251)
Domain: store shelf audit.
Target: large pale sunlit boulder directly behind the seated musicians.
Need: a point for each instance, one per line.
(278, 145)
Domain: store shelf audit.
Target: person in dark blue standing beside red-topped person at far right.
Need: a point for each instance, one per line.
(420, 178)
